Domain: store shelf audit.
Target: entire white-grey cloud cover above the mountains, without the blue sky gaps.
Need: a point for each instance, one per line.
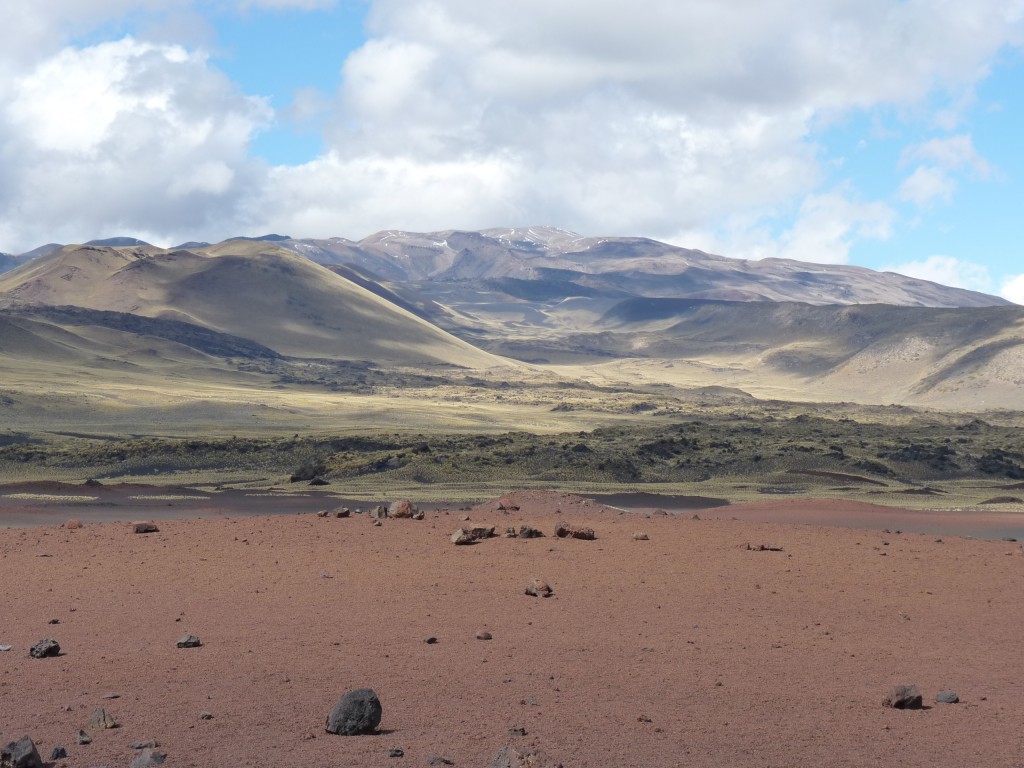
(604, 116)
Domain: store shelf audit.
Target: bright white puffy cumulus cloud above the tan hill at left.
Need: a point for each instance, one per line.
(124, 138)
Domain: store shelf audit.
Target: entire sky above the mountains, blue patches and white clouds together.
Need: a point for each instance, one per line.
(885, 134)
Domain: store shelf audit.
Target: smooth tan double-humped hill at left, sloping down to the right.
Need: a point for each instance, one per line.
(257, 291)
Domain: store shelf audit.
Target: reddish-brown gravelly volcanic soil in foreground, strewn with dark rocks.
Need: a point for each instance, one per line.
(688, 650)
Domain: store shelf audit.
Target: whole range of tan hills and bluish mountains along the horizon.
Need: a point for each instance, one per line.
(590, 309)
